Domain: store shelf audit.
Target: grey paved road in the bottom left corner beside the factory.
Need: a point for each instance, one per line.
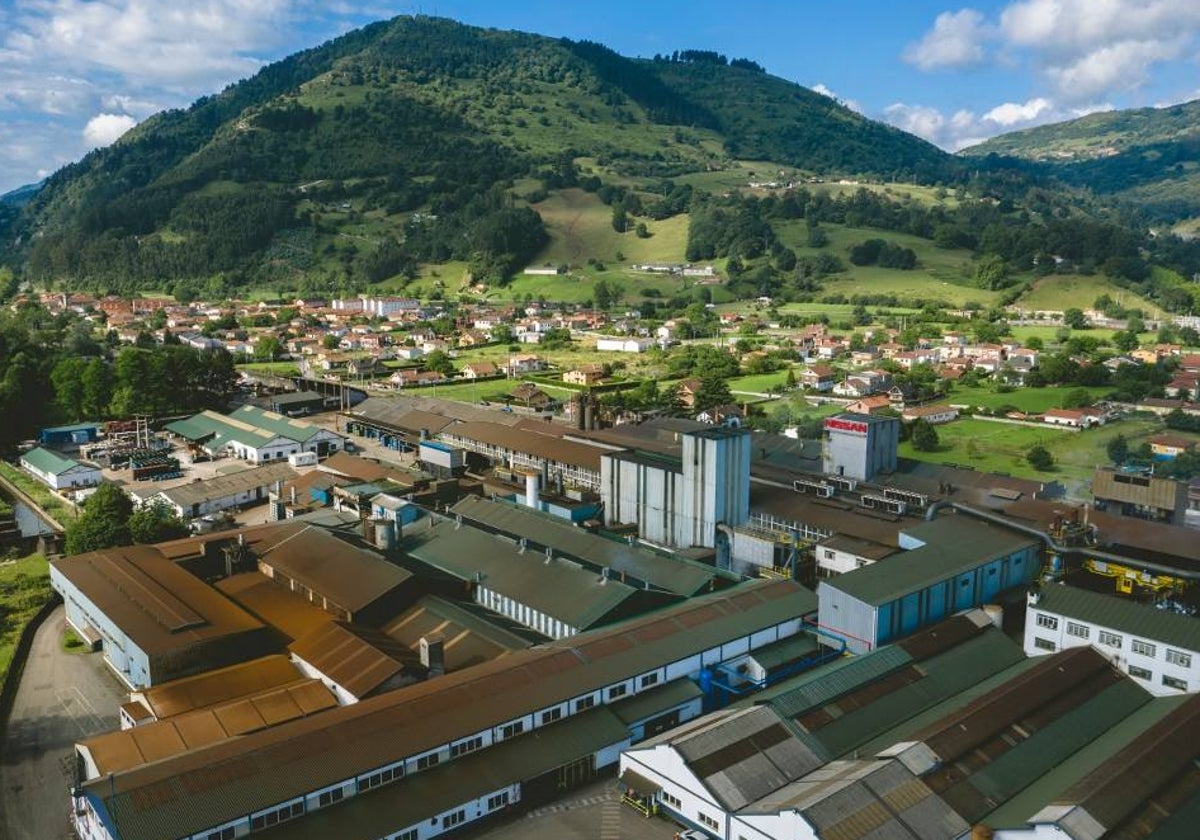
(63, 699)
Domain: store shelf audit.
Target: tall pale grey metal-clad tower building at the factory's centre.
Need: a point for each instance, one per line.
(681, 502)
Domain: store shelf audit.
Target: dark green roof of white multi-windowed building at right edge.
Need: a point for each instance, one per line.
(1123, 615)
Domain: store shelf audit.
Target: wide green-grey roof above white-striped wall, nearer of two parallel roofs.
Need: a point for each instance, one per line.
(559, 589)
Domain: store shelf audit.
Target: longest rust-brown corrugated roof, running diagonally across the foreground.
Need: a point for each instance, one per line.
(207, 788)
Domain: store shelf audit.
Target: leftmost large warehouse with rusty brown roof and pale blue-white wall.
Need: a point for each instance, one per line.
(153, 621)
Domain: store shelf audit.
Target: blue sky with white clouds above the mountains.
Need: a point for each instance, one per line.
(76, 74)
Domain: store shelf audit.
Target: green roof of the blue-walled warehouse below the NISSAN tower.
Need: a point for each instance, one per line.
(953, 545)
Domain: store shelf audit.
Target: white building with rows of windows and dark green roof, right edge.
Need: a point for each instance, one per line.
(1160, 650)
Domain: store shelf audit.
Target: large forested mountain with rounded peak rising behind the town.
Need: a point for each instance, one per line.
(423, 141)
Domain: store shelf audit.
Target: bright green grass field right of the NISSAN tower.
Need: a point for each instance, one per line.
(998, 447)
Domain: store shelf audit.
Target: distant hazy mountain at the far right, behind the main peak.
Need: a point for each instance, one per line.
(1149, 158)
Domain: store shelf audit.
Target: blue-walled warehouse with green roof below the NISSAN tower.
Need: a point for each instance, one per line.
(953, 563)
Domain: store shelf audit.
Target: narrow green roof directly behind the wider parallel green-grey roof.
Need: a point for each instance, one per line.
(677, 577)
